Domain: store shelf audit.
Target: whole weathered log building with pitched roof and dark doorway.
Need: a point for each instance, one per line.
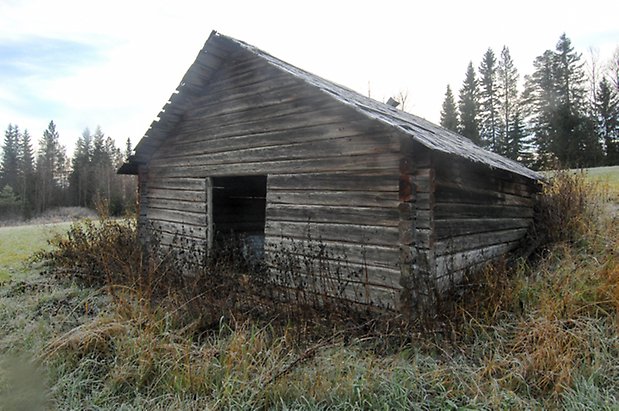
(253, 144)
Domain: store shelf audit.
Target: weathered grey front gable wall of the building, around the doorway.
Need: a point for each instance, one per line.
(332, 175)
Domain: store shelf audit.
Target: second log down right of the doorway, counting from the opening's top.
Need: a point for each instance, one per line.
(335, 198)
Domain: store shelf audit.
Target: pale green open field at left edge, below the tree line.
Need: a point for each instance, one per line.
(20, 242)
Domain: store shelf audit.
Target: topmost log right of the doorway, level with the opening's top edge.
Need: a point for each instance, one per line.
(339, 182)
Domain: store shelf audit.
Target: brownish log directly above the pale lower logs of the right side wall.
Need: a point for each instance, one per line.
(457, 227)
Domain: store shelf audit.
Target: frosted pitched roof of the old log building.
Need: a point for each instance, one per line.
(424, 132)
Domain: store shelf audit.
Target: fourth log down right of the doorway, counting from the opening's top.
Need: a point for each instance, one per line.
(358, 234)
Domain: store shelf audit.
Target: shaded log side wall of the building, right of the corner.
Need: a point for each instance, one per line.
(478, 214)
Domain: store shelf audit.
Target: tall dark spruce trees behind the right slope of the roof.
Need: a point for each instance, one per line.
(563, 116)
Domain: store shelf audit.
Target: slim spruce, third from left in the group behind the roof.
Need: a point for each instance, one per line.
(488, 104)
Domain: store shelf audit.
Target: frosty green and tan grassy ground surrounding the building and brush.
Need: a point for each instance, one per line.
(547, 339)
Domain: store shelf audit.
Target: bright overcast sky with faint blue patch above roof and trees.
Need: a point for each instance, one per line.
(114, 63)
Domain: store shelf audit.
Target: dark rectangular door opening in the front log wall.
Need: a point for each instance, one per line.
(238, 211)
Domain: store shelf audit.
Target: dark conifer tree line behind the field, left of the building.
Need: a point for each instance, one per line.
(33, 182)
